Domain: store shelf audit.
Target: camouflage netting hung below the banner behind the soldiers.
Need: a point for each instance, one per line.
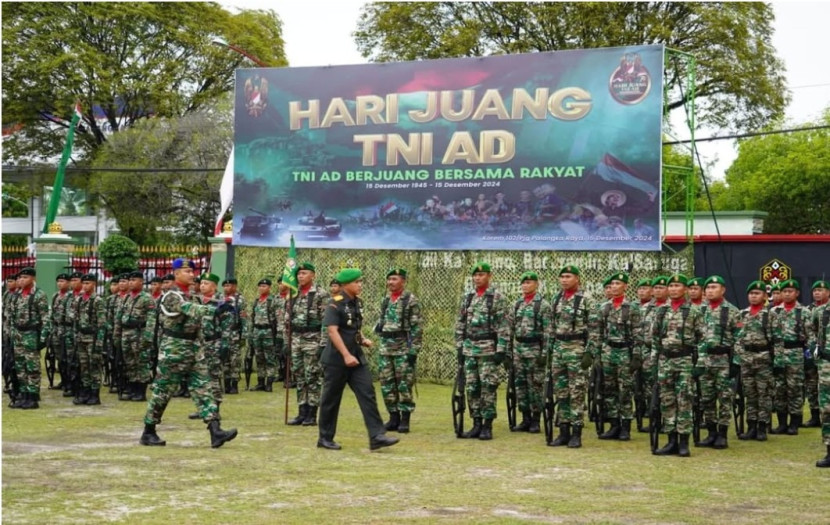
(440, 279)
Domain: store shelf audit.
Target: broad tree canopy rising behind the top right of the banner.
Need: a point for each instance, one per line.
(740, 79)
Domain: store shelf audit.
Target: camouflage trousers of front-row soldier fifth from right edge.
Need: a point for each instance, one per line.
(676, 394)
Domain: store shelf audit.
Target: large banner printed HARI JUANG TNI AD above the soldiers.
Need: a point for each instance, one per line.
(541, 151)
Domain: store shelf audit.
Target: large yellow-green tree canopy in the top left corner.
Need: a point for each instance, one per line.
(123, 62)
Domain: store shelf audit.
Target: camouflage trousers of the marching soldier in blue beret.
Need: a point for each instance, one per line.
(181, 359)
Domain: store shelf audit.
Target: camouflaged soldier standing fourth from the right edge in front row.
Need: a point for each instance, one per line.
(721, 320)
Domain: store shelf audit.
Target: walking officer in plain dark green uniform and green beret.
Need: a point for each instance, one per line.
(344, 363)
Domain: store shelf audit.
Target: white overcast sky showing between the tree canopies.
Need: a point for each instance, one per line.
(800, 27)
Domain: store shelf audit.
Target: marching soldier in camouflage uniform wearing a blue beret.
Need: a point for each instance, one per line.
(180, 356)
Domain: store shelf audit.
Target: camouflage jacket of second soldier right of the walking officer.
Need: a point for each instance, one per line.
(483, 325)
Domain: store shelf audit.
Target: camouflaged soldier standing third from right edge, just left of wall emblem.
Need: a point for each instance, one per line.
(753, 351)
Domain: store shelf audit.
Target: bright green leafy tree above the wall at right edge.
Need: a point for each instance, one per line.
(786, 175)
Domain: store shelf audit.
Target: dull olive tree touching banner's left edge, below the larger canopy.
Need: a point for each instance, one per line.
(183, 204)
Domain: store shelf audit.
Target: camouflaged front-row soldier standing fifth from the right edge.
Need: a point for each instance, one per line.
(677, 331)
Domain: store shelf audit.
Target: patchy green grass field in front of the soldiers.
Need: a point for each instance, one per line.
(84, 465)
